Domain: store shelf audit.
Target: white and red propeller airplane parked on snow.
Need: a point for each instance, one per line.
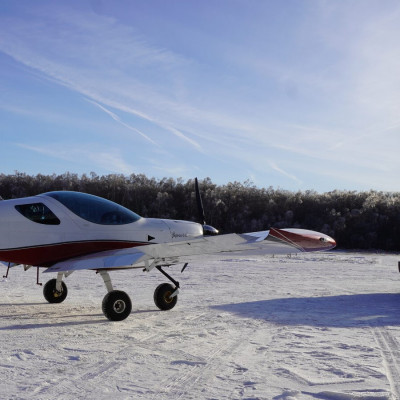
(69, 231)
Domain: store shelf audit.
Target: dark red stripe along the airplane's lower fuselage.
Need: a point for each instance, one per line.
(49, 254)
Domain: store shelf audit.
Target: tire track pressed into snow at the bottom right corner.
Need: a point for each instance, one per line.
(390, 350)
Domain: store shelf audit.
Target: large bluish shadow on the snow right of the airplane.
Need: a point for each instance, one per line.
(357, 310)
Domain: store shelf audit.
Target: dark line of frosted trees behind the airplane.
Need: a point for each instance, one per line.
(357, 220)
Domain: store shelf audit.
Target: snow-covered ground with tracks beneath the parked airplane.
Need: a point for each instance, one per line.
(313, 326)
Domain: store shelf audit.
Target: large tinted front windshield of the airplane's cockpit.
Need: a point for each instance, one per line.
(94, 209)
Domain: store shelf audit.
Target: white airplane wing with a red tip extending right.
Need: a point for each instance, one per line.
(274, 241)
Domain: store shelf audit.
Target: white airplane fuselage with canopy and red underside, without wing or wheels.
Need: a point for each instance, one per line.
(42, 230)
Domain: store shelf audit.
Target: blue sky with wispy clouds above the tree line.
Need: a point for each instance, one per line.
(292, 94)
